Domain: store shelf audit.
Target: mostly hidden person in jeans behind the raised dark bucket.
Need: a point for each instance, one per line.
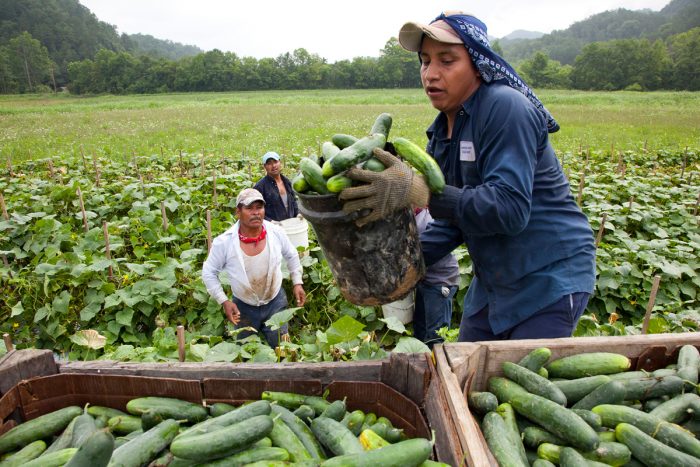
(434, 293)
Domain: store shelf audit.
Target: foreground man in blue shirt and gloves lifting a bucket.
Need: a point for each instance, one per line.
(506, 197)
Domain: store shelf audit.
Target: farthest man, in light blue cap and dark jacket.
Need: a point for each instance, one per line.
(280, 202)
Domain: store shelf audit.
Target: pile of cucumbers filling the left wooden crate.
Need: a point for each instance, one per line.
(281, 428)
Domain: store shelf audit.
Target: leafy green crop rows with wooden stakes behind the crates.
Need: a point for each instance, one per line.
(113, 246)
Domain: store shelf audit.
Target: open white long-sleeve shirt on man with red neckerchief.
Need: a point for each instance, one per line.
(226, 255)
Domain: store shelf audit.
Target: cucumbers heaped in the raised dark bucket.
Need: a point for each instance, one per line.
(326, 174)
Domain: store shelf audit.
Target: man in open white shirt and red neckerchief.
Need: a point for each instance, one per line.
(251, 253)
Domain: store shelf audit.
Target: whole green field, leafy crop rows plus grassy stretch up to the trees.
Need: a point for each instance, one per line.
(109, 202)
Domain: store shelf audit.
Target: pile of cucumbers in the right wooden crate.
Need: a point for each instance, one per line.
(589, 409)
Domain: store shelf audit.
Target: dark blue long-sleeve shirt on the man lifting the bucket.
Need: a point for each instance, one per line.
(508, 200)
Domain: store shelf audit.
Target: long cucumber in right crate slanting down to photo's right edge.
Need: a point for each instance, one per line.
(667, 433)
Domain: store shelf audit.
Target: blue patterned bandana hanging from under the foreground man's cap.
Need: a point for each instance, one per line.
(490, 65)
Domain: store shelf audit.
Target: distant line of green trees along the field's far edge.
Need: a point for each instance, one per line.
(624, 64)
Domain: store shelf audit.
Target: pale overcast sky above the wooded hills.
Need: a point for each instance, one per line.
(333, 30)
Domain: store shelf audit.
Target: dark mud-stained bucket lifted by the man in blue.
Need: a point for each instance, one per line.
(376, 264)
